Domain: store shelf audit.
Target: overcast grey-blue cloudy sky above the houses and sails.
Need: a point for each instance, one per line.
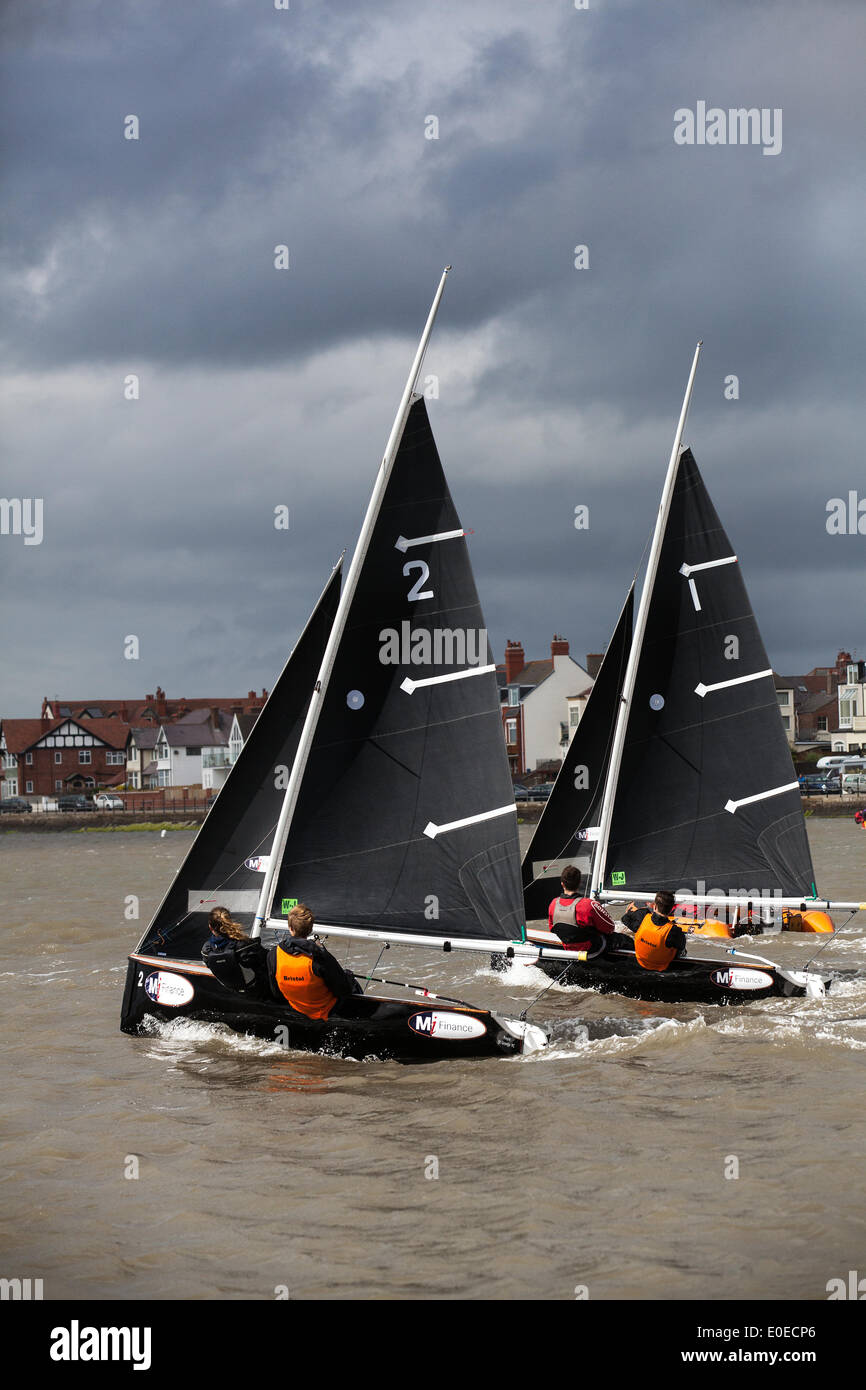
(558, 387)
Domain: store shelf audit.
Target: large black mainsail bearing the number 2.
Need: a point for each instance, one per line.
(394, 767)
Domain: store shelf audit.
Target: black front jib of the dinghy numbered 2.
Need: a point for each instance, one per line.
(243, 819)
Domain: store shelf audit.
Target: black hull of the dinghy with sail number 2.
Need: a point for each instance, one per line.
(369, 1027)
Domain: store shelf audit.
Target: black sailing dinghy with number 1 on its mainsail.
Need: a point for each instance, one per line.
(679, 775)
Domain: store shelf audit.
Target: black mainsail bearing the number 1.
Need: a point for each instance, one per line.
(707, 797)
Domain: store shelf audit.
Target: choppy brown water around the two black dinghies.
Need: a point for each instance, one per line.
(598, 1163)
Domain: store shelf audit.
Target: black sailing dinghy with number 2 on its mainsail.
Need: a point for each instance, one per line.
(394, 818)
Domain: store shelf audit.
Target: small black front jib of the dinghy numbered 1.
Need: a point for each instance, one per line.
(575, 804)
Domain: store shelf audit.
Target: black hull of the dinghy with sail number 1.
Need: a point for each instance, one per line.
(701, 981)
